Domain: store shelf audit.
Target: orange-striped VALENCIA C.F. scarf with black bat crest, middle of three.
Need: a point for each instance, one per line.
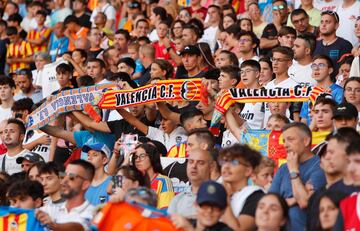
(163, 90)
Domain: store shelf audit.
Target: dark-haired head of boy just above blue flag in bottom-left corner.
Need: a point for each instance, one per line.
(26, 194)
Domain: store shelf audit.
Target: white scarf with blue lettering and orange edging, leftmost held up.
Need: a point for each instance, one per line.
(65, 101)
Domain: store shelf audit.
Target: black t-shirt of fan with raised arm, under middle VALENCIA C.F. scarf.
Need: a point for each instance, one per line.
(119, 127)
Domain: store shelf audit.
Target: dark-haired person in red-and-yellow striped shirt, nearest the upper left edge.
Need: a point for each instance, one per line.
(19, 52)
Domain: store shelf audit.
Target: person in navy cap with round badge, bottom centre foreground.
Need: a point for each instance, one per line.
(210, 205)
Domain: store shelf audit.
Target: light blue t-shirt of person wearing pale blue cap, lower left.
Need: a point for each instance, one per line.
(97, 194)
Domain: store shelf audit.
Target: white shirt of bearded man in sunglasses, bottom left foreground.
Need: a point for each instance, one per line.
(82, 214)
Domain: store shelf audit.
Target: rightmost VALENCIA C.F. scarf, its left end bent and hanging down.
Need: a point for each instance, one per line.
(239, 95)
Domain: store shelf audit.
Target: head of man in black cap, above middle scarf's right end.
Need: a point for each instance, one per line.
(190, 58)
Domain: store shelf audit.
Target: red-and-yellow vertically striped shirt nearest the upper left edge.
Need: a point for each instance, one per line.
(21, 49)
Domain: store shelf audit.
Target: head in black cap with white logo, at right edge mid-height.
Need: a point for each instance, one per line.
(345, 115)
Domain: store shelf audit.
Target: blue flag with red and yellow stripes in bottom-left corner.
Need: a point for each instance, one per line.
(12, 219)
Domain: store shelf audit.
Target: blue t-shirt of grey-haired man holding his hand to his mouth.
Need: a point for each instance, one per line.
(310, 171)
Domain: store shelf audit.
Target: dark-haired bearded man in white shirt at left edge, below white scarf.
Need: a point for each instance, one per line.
(12, 137)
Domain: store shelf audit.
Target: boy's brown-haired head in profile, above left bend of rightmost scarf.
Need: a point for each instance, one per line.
(229, 77)
